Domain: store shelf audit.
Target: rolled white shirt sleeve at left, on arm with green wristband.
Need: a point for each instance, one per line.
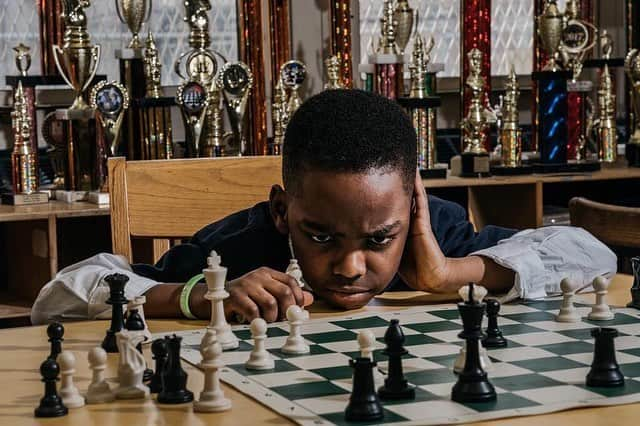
(79, 292)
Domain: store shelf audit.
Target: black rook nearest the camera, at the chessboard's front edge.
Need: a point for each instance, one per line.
(364, 405)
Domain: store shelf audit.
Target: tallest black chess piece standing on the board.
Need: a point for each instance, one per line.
(473, 384)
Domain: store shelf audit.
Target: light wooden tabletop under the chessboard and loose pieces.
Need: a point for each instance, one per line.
(22, 350)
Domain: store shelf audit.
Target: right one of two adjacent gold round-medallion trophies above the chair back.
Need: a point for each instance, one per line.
(236, 82)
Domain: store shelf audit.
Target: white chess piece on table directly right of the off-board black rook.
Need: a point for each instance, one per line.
(212, 397)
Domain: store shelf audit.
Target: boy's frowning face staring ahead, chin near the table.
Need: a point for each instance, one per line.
(348, 232)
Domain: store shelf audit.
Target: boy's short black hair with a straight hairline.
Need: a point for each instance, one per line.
(349, 131)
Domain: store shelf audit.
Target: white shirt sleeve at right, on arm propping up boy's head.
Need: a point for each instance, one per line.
(542, 257)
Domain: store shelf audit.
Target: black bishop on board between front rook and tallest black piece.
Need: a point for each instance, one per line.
(395, 385)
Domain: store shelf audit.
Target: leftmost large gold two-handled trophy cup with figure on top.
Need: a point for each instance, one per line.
(77, 60)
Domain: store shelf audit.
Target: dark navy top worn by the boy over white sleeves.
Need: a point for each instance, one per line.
(248, 239)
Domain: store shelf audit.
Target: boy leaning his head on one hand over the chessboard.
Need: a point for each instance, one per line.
(355, 214)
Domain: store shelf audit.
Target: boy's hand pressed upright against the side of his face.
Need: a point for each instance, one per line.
(423, 267)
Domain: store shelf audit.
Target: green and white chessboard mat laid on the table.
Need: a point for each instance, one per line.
(542, 370)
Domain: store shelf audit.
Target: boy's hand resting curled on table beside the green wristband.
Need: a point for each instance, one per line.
(265, 293)
